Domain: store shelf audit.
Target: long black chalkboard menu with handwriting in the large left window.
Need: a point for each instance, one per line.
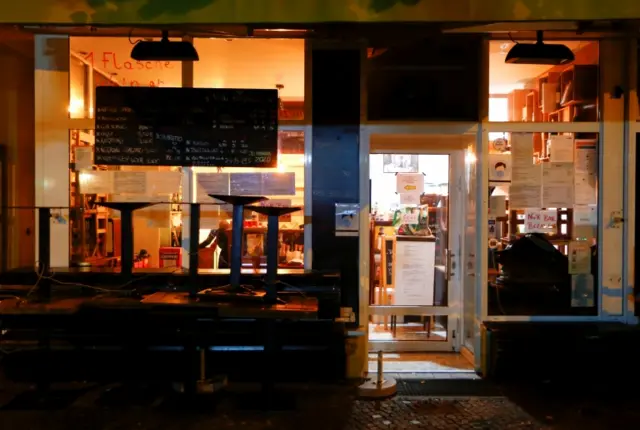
(186, 127)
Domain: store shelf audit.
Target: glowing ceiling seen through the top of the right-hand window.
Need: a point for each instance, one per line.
(504, 78)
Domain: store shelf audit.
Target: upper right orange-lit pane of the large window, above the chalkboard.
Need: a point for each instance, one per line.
(255, 64)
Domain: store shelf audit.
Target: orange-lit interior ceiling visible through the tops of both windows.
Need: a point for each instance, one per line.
(260, 63)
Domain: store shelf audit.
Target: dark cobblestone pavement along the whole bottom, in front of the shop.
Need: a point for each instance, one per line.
(450, 404)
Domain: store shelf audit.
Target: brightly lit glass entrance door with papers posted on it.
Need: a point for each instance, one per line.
(416, 227)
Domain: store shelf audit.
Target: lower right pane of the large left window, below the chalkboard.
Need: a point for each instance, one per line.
(284, 186)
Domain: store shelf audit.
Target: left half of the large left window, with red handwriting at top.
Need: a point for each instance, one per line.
(95, 230)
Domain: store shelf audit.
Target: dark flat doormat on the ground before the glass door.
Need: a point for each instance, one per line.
(447, 387)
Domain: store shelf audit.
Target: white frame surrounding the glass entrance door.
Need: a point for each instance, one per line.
(460, 135)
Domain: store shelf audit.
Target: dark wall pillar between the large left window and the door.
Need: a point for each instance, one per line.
(335, 86)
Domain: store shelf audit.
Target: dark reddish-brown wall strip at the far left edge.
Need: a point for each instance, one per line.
(17, 140)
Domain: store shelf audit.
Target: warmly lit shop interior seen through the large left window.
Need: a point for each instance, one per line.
(224, 63)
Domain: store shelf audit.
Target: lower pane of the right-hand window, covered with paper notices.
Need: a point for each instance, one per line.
(543, 225)
